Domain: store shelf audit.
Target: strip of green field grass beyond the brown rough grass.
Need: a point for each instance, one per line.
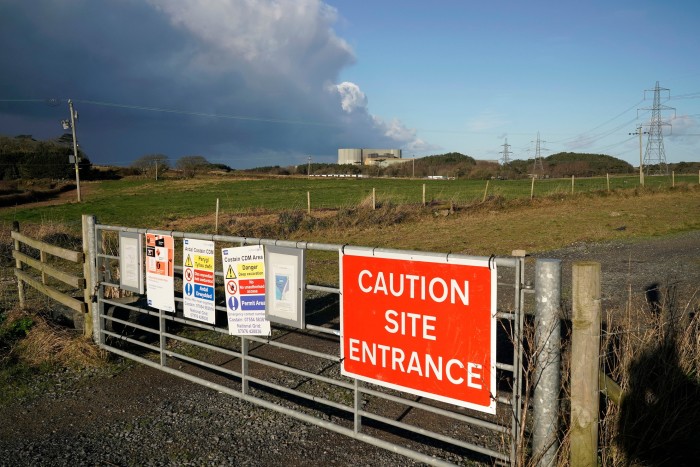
(147, 203)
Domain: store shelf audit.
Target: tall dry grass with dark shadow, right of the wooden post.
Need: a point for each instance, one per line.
(655, 358)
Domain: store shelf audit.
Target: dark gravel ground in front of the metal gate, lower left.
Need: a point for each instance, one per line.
(142, 416)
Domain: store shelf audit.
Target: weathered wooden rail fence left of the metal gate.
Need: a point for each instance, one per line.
(40, 284)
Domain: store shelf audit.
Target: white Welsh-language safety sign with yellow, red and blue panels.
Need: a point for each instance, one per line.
(198, 297)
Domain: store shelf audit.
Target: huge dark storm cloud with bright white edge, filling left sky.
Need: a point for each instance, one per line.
(253, 83)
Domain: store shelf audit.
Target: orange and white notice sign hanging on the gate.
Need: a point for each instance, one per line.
(160, 283)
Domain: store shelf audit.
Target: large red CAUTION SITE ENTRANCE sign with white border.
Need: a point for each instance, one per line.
(421, 324)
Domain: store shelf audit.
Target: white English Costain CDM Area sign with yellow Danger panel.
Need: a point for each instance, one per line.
(244, 280)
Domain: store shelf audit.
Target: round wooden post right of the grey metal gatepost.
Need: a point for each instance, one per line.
(585, 347)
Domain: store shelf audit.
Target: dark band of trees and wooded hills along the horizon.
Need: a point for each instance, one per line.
(24, 158)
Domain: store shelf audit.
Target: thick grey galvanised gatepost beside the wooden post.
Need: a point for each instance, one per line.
(547, 376)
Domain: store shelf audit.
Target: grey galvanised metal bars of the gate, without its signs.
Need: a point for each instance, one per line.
(513, 403)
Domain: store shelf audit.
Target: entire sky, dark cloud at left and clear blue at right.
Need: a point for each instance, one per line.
(271, 82)
